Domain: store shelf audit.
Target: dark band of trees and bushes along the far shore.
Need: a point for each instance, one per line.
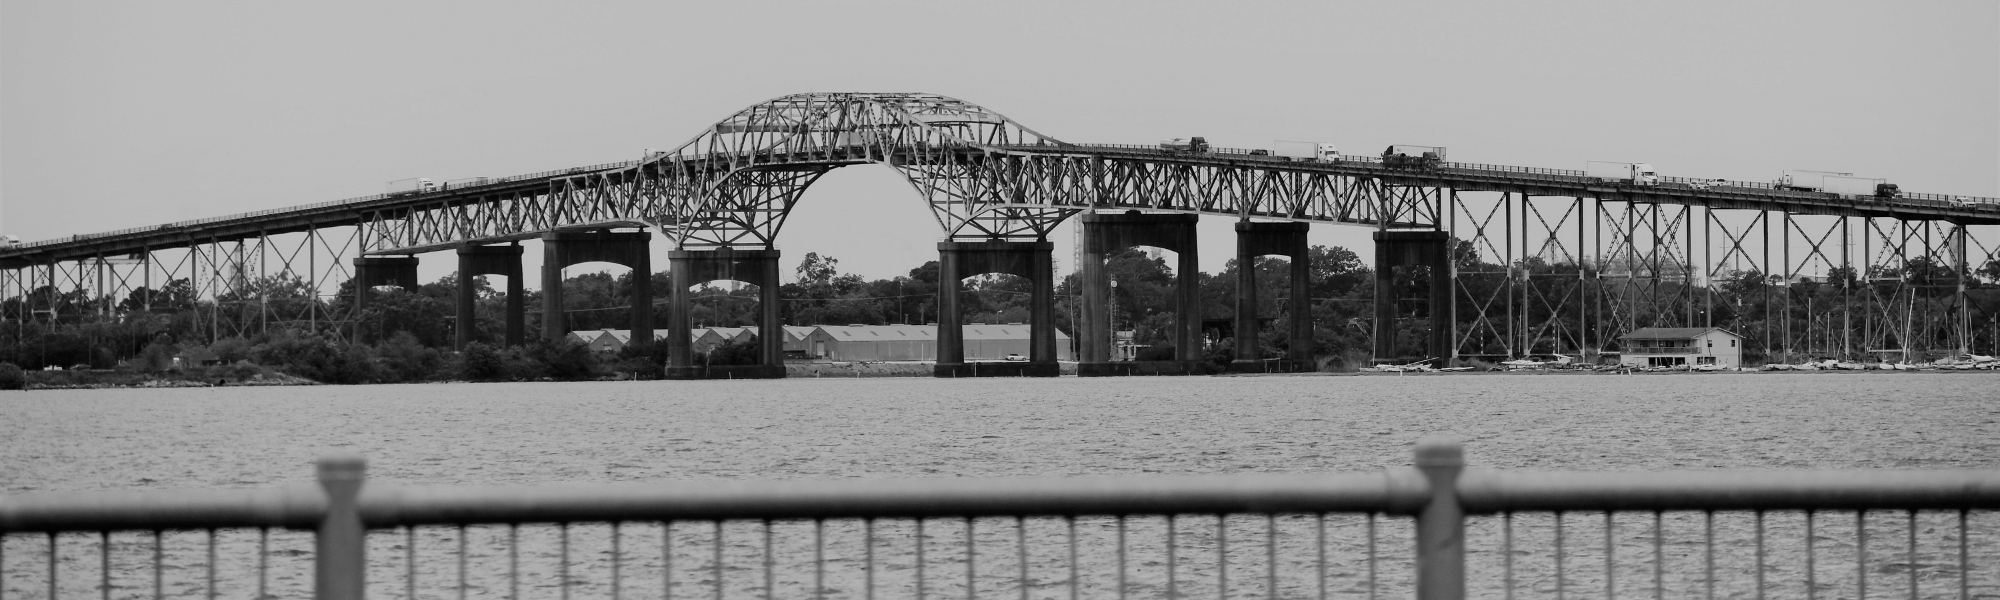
(177, 337)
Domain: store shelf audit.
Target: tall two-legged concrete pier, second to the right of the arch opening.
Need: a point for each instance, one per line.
(1111, 233)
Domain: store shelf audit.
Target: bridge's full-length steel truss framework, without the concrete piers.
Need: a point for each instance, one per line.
(1565, 265)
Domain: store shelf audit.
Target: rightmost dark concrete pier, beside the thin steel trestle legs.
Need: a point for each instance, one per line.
(1427, 249)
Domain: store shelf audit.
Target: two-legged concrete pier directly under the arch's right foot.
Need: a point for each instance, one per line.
(1019, 259)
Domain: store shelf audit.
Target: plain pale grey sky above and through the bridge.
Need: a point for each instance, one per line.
(121, 115)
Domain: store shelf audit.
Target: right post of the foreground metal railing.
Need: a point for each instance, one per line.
(1441, 529)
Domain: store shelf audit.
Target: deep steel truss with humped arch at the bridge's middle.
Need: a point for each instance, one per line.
(983, 175)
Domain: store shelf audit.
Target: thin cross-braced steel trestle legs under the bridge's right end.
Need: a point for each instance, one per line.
(1539, 275)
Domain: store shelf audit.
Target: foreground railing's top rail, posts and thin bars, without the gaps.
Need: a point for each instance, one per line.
(1439, 495)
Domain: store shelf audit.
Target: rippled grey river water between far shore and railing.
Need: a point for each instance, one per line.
(1013, 427)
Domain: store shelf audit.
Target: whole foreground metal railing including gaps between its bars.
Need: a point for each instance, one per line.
(1641, 535)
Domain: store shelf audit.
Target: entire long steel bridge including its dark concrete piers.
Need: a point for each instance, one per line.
(1521, 261)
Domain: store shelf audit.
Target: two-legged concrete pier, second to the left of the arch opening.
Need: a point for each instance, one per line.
(627, 249)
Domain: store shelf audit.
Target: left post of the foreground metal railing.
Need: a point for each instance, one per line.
(341, 553)
